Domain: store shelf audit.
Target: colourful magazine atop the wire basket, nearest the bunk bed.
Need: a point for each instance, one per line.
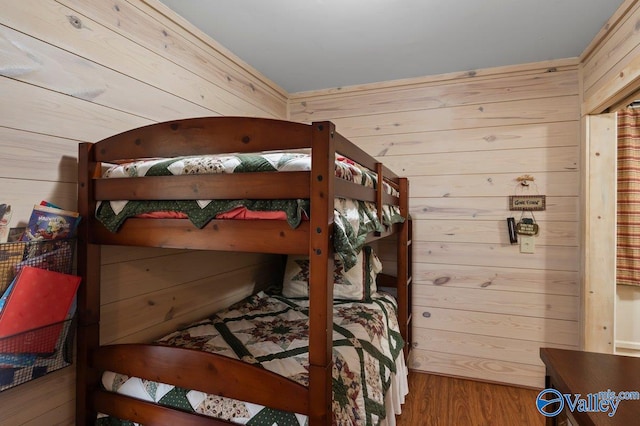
(50, 223)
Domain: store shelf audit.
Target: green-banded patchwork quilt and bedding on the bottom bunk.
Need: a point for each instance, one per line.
(369, 373)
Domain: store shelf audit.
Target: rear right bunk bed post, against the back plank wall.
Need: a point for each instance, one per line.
(404, 275)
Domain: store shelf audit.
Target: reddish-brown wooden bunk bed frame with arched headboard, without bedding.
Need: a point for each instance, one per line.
(313, 237)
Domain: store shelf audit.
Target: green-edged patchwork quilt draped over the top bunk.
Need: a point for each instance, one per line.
(354, 219)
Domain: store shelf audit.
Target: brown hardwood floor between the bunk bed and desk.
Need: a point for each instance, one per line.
(444, 401)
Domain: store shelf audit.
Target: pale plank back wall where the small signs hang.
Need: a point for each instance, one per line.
(481, 308)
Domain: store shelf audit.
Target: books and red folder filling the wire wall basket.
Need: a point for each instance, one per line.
(39, 293)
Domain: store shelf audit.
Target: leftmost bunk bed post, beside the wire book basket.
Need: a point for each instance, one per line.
(88, 310)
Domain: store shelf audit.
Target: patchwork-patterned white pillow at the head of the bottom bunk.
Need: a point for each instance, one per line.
(358, 283)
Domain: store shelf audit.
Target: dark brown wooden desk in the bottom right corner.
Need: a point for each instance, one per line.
(579, 372)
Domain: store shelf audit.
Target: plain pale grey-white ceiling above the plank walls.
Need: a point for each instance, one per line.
(319, 44)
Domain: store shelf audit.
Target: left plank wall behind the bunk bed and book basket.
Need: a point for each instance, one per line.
(80, 70)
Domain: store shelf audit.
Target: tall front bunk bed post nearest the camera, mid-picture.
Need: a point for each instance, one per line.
(321, 273)
